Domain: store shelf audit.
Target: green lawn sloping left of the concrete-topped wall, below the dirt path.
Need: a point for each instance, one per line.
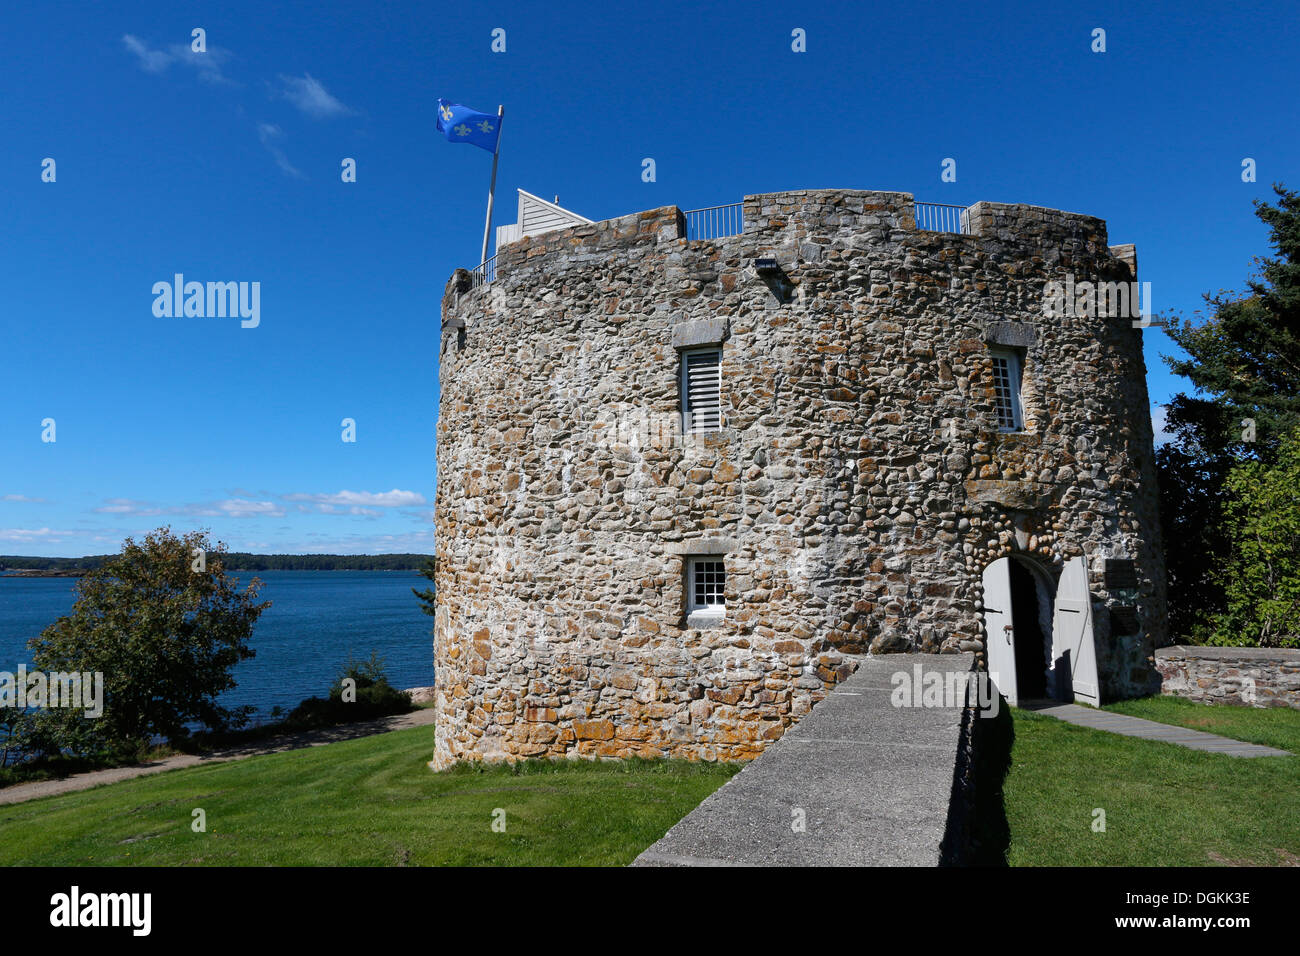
(369, 802)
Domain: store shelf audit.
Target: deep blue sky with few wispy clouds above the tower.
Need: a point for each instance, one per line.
(226, 167)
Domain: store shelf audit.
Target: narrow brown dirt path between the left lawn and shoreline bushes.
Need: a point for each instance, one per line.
(293, 742)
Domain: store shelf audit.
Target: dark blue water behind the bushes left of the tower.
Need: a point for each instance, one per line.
(317, 621)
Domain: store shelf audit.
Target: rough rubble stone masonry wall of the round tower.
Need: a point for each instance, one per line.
(857, 490)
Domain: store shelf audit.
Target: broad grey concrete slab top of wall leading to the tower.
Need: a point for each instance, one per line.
(857, 782)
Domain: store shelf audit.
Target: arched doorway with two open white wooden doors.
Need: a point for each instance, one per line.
(1039, 631)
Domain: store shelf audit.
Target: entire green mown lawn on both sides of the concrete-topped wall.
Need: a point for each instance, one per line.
(374, 802)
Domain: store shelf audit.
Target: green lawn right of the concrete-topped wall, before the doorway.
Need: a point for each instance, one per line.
(1165, 806)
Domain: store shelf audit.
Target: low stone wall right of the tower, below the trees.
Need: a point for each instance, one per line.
(1249, 677)
